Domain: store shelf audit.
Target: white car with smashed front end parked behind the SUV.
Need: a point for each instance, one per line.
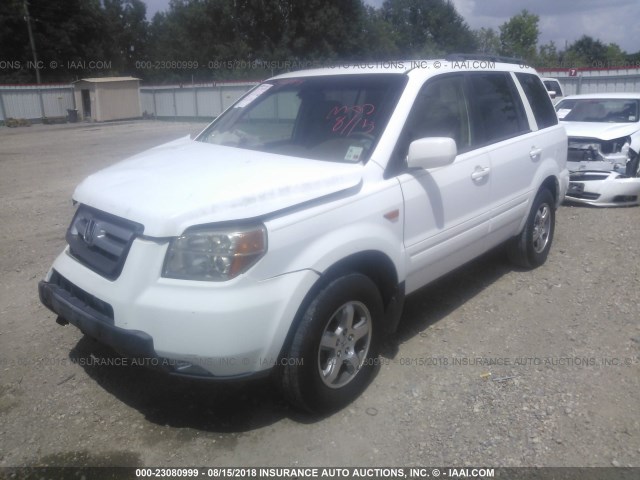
(604, 146)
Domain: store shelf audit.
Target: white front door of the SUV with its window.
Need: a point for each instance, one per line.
(447, 209)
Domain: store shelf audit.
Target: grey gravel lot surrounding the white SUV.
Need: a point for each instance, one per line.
(491, 367)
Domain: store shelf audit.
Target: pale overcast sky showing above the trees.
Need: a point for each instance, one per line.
(563, 21)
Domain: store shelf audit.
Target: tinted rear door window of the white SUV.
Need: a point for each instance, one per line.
(498, 112)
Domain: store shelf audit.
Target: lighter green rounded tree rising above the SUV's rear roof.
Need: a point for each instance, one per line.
(519, 36)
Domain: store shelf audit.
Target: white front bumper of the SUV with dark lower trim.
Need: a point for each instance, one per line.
(227, 330)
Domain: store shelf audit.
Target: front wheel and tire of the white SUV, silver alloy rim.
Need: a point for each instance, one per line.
(334, 349)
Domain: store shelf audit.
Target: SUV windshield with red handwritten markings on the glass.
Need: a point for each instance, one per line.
(337, 118)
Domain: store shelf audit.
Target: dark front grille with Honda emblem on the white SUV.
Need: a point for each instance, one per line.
(101, 241)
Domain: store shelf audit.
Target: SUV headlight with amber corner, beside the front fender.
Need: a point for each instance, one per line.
(214, 255)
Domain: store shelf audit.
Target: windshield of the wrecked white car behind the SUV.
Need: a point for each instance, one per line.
(606, 110)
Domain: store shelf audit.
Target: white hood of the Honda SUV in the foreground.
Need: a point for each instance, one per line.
(183, 183)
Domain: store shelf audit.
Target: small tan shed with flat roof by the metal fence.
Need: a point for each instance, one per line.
(108, 98)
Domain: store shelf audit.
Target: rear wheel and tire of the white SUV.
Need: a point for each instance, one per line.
(531, 247)
